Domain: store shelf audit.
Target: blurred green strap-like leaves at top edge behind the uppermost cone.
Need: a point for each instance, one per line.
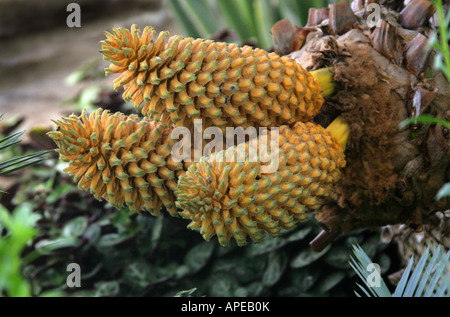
(251, 20)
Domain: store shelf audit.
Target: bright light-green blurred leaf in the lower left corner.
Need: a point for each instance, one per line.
(19, 226)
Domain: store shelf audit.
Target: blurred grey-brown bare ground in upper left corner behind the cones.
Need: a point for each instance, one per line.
(38, 51)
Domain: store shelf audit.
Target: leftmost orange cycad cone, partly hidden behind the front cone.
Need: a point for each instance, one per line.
(122, 159)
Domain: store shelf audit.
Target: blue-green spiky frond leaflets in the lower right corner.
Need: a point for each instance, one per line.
(429, 278)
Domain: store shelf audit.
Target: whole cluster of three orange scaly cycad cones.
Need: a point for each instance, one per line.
(129, 160)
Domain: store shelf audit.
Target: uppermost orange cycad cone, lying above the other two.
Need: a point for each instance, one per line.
(222, 84)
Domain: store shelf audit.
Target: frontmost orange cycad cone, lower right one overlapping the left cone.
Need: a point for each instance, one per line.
(233, 199)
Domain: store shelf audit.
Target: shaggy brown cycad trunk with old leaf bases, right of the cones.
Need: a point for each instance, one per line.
(392, 174)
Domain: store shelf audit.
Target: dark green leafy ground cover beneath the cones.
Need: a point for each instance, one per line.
(124, 254)
